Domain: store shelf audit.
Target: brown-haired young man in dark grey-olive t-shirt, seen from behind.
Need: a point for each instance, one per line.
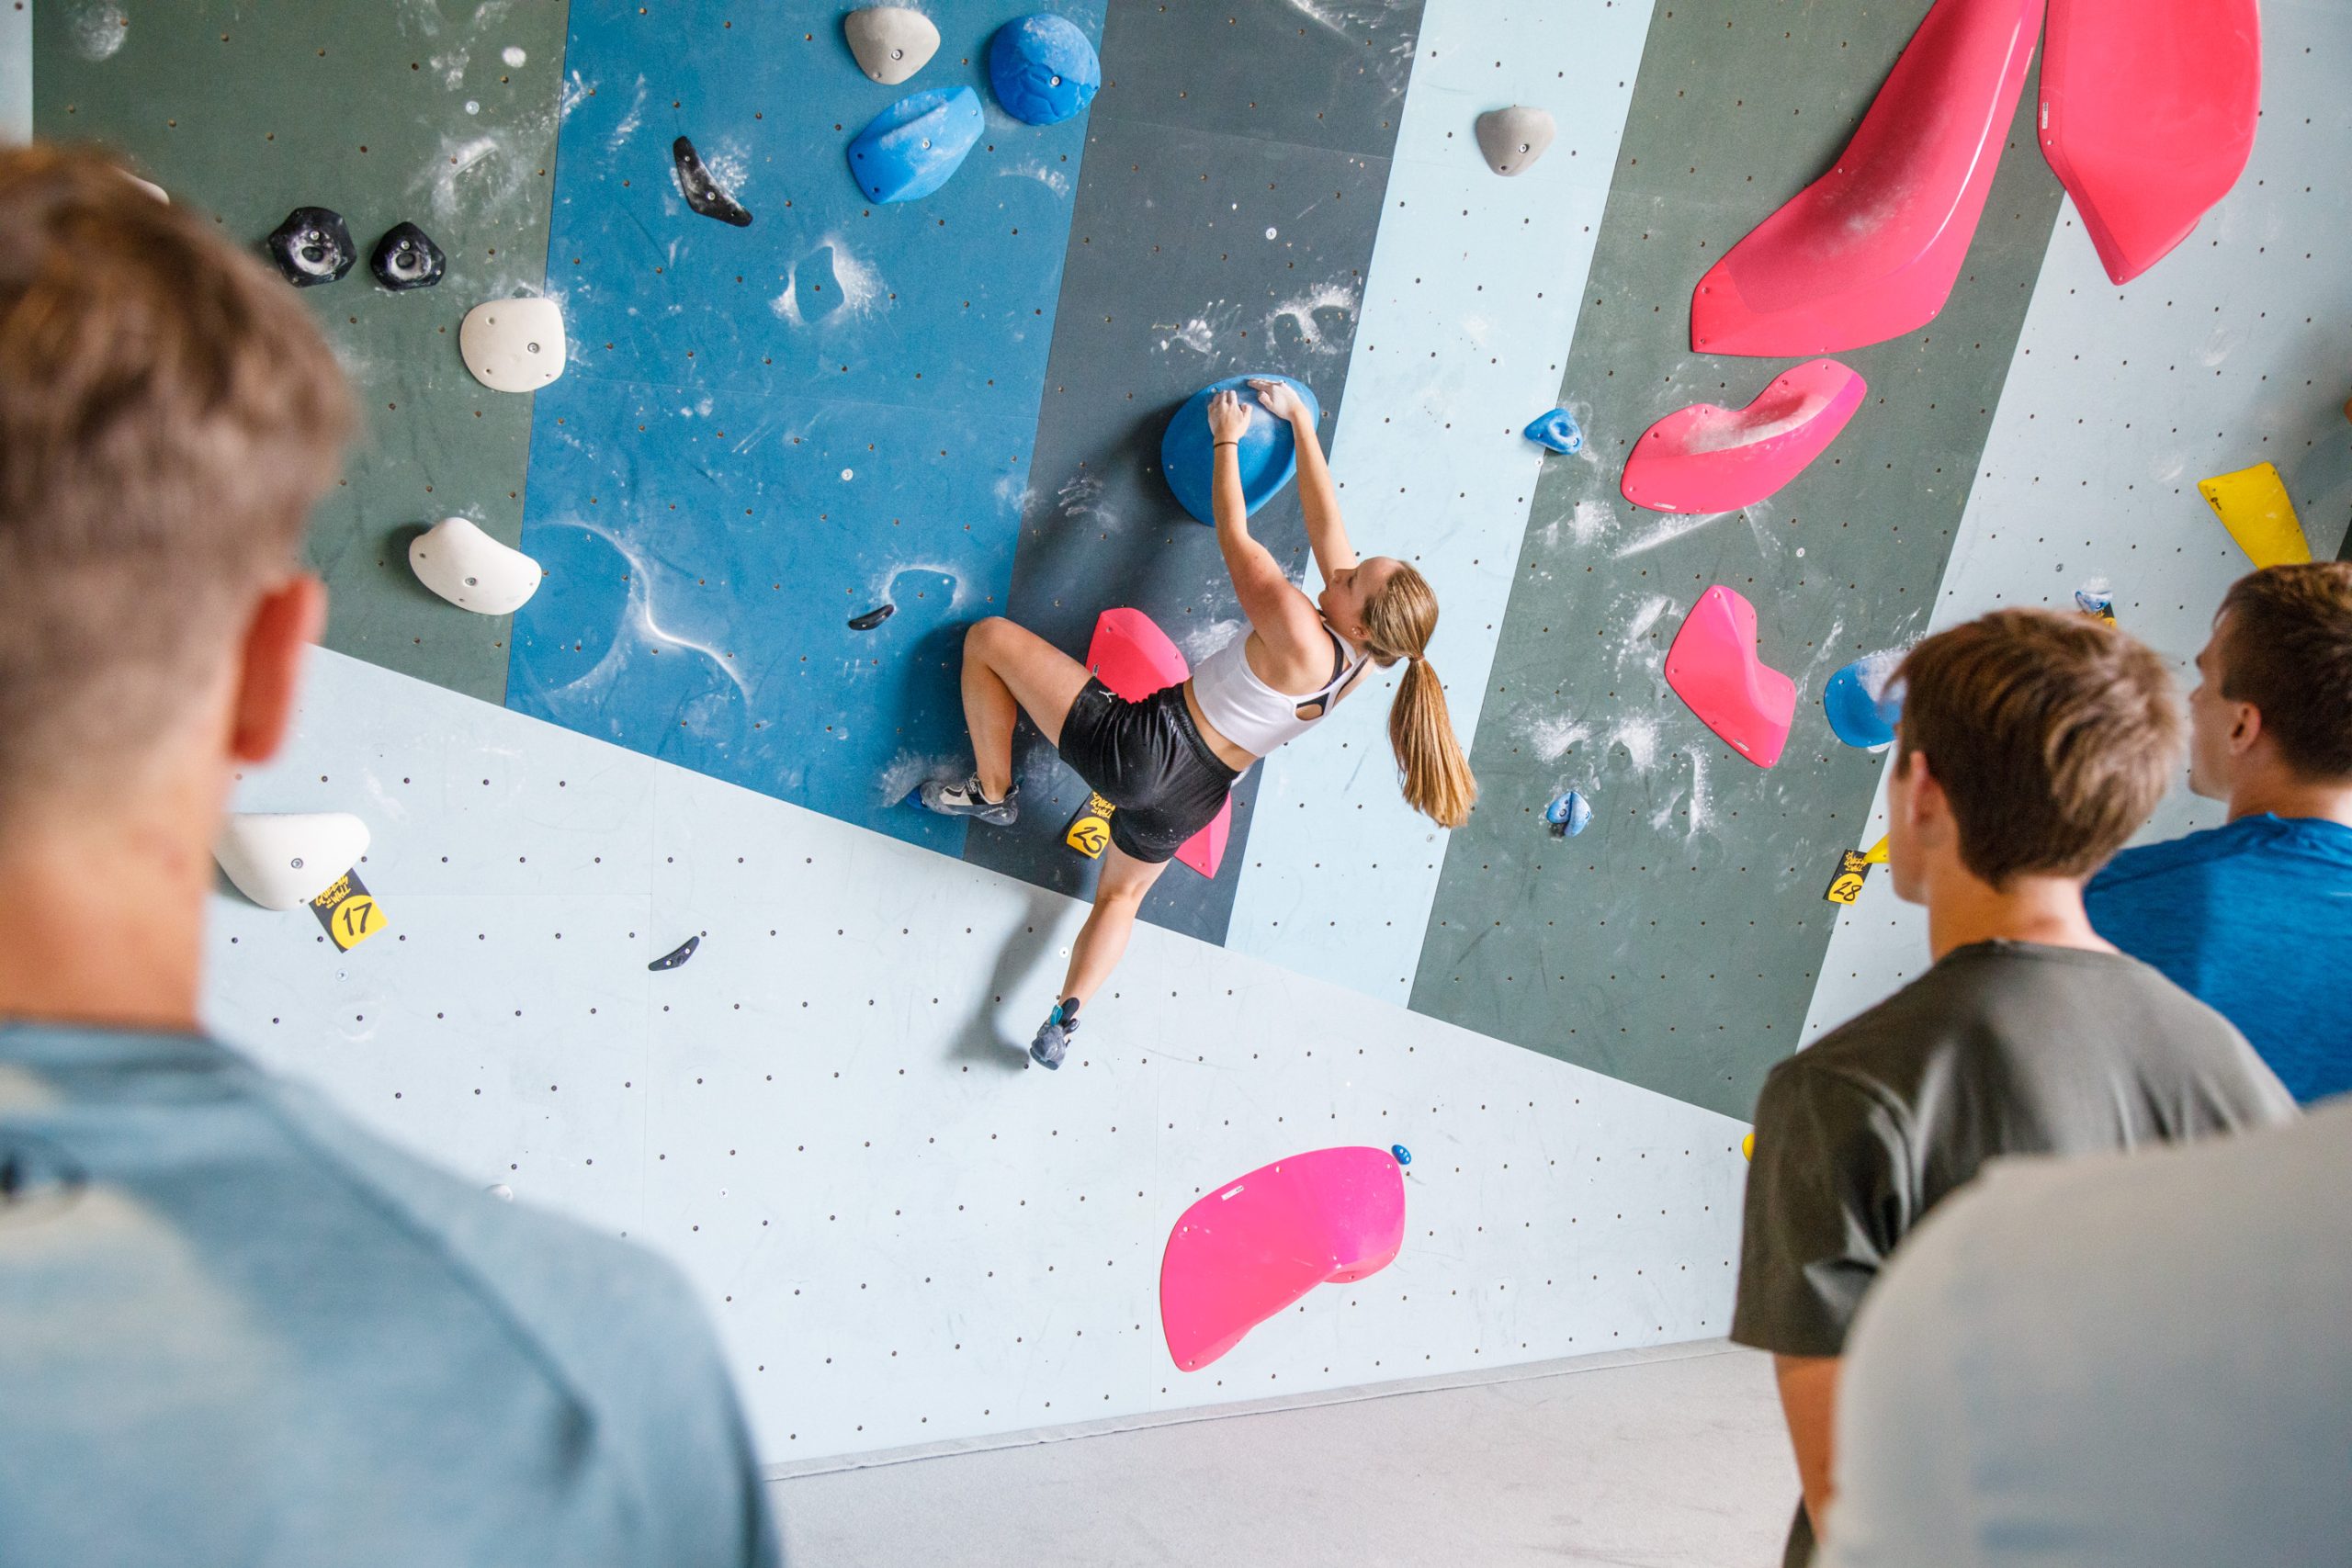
(2029, 751)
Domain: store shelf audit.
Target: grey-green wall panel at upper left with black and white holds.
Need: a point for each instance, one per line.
(429, 114)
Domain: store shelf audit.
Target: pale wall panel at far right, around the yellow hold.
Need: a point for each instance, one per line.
(2231, 351)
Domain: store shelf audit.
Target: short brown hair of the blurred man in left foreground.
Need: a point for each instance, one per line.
(168, 417)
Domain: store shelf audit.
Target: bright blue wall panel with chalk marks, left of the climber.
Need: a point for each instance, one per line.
(768, 431)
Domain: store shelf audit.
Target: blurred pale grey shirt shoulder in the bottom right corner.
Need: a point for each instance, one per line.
(2113, 1362)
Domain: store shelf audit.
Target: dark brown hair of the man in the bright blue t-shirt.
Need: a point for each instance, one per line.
(2287, 648)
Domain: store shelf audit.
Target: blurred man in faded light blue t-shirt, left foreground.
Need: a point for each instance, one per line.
(234, 1327)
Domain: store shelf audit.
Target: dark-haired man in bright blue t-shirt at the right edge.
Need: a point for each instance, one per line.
(2257, 918)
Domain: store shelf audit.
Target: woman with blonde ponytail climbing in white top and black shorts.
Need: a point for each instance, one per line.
(1170, 760)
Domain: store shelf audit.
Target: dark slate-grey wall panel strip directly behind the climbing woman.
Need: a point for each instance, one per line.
(1224, 227)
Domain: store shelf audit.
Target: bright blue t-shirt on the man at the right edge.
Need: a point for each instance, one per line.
(2257, 923)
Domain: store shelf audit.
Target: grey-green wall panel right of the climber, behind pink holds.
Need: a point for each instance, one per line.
(1678, 939)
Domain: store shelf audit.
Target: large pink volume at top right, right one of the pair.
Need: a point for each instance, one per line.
(2149, 116)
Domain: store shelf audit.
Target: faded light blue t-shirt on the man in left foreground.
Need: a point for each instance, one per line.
(241, 1332)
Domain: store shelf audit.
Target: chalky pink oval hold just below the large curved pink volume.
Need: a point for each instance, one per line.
(1713, 460)
